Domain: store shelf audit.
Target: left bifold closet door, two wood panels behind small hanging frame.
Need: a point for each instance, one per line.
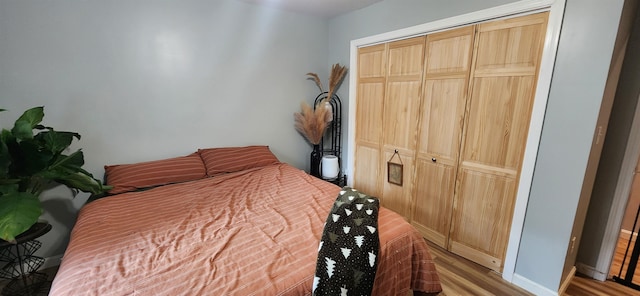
(387, 107)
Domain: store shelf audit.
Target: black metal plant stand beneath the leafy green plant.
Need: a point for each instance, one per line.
(18, 263)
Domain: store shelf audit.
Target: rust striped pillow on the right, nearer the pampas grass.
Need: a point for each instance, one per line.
(233, 159)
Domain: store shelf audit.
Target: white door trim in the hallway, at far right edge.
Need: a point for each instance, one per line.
(620, 196)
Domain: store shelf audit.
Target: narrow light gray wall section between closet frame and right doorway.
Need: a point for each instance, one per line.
(582, 64)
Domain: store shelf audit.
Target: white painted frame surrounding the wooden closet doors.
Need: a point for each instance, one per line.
(556, 10)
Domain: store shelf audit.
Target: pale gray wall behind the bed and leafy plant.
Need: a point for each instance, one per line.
(149, 79)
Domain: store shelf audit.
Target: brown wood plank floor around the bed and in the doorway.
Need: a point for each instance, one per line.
(463, 277)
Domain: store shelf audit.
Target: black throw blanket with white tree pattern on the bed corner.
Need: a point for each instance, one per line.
(348, 250)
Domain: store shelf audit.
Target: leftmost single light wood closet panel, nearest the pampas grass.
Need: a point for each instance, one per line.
(369, 105)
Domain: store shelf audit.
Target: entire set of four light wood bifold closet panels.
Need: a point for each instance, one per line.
(455, 106)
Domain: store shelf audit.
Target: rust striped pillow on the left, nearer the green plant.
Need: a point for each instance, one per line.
(131, 177)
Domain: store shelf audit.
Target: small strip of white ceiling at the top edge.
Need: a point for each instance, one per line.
(321, 8)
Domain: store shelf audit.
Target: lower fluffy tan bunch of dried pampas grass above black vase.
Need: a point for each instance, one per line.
(312, 123)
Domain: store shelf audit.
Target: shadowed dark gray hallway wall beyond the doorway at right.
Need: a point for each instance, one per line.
(612, 155)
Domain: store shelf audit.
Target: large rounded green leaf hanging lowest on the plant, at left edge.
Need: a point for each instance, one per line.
(18, 212)
